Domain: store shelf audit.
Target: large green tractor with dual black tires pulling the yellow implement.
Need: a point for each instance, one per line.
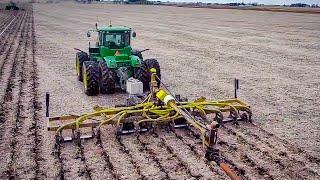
(111, 62)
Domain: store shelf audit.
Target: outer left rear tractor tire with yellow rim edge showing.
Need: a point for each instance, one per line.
(90, 74)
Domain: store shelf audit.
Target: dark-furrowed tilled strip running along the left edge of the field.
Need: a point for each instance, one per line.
(19, 130)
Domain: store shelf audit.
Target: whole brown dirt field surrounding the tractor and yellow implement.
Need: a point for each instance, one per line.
(275, 56)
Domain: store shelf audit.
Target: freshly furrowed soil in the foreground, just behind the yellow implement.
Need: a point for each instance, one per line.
(178, 154)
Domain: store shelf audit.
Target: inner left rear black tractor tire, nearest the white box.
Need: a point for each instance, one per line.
(107, 81)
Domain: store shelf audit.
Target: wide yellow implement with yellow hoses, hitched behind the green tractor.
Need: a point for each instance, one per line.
(158, 108)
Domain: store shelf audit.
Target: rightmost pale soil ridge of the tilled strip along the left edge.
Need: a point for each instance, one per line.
(28, 159)
